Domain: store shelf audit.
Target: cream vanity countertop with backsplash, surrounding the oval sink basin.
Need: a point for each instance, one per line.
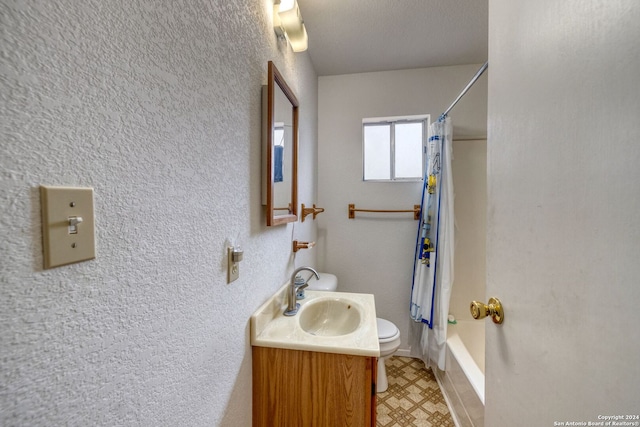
(271, 328)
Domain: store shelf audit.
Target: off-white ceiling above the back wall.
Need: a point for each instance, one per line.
(358, 36)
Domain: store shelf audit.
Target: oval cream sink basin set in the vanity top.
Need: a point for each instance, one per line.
(330, 317)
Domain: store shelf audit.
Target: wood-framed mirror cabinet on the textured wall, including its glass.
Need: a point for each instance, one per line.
(279, 149)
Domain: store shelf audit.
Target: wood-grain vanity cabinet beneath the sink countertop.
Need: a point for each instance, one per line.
(306, 388)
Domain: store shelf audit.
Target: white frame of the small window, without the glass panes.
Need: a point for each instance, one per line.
(392, 121)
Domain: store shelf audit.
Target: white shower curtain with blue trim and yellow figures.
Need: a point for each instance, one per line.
(433, 263)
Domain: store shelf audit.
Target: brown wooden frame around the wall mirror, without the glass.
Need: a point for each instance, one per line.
(273, 218)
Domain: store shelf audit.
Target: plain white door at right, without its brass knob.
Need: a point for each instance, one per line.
(563, 237)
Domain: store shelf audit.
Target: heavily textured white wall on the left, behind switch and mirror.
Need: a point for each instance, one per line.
(157, 107)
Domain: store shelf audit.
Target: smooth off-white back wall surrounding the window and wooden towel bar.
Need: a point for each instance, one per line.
(374, 252)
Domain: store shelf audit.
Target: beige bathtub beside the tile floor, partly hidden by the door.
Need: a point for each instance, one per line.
(462, 382)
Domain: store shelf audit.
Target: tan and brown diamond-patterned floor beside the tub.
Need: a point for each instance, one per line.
(413, 397)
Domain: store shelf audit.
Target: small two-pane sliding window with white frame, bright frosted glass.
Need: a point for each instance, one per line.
(393, 148)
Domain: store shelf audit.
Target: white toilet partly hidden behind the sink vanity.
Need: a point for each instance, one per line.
(388, 333)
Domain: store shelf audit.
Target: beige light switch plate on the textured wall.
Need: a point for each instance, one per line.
(60, 245)
